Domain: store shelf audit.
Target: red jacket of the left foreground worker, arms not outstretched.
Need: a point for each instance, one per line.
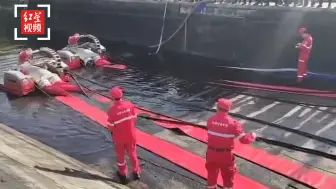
(121, 121)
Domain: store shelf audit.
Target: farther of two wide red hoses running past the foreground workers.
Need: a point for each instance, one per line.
(258, 156)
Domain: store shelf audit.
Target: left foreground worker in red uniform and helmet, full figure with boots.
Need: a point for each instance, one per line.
(121, 123)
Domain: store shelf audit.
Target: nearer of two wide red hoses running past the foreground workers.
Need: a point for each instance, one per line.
(171, 152)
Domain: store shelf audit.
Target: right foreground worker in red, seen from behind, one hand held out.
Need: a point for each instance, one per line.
(222, 131)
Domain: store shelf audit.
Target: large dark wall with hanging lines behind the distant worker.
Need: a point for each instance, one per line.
(257, 37)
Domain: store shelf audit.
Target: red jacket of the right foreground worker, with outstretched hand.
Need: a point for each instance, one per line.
(222, 130)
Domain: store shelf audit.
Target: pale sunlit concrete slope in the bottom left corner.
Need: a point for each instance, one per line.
(21, 153)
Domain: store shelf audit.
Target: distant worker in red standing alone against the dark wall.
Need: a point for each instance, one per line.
(305, 47)
